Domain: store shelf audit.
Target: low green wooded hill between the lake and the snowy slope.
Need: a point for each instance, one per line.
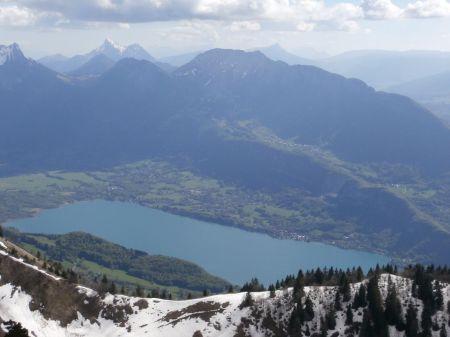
(93, 257)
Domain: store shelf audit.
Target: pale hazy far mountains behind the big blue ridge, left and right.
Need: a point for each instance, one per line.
(399, 67)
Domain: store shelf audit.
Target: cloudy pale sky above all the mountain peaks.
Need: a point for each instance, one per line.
(165, 27)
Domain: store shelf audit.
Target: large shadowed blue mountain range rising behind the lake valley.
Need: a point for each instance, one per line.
(371, 162)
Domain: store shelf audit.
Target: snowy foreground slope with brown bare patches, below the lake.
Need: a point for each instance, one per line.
(51, 306)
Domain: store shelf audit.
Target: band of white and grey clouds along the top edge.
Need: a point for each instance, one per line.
(250, 15)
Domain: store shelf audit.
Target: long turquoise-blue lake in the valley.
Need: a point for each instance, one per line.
(231, 253)
